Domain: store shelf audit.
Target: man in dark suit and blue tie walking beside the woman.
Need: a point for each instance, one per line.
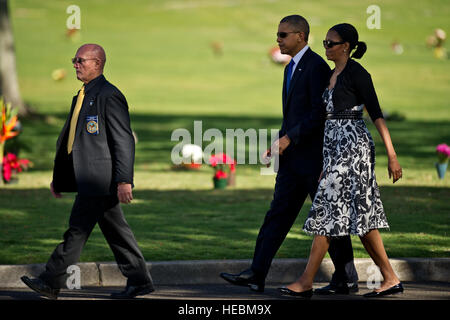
(300, 161)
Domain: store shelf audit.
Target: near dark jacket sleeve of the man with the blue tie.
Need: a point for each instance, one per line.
(318, 78)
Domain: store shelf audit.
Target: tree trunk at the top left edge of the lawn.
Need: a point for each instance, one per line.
(9, 85)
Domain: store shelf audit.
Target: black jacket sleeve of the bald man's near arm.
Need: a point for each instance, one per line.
(120, 138)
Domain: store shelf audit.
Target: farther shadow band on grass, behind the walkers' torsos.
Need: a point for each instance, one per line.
(414, 140)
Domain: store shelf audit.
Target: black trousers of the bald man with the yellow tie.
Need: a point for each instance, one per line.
(86, 213)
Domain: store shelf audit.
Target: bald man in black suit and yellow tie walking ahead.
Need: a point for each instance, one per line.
(95, 158)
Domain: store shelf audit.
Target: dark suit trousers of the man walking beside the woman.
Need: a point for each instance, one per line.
(290, 193)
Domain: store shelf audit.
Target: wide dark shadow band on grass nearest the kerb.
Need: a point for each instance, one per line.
(211, 224)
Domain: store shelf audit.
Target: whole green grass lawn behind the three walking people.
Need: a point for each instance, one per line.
(159, 54)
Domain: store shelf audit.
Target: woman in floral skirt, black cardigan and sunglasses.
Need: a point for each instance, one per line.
(348, 199)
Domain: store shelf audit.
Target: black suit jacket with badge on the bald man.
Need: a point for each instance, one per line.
(103, 149)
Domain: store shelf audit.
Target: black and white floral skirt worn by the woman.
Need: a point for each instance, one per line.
(347, 199)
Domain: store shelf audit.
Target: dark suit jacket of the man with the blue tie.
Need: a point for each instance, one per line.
(304, 115)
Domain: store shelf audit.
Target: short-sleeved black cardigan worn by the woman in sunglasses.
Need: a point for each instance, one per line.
(354, 87)
